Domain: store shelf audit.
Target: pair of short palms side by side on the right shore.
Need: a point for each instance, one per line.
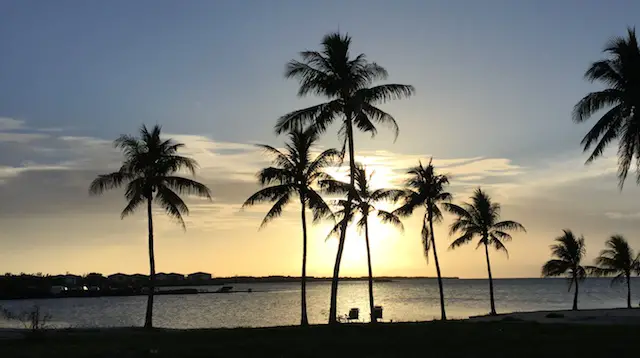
(617, 259)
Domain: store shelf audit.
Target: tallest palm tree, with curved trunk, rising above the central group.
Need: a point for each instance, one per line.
(347, 84)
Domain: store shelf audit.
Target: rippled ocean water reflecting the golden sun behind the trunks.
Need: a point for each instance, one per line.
(277, 304)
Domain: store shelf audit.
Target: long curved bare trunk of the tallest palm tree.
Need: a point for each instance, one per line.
(333, 308)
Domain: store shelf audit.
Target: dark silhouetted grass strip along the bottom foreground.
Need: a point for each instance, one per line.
(432, 339)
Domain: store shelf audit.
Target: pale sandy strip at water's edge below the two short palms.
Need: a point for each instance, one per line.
(597, 316)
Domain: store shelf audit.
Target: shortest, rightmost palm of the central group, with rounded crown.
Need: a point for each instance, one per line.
(480, 219)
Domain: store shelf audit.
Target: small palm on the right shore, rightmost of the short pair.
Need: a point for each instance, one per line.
(617, 259)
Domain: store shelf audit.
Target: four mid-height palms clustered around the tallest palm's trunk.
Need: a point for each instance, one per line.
(296, 173)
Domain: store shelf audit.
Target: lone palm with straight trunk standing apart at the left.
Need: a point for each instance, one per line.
(149, 173)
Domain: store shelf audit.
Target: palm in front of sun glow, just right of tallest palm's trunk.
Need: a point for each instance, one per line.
(364, 204)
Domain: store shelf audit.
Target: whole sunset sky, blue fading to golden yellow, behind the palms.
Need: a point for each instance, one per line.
(495, 85)
